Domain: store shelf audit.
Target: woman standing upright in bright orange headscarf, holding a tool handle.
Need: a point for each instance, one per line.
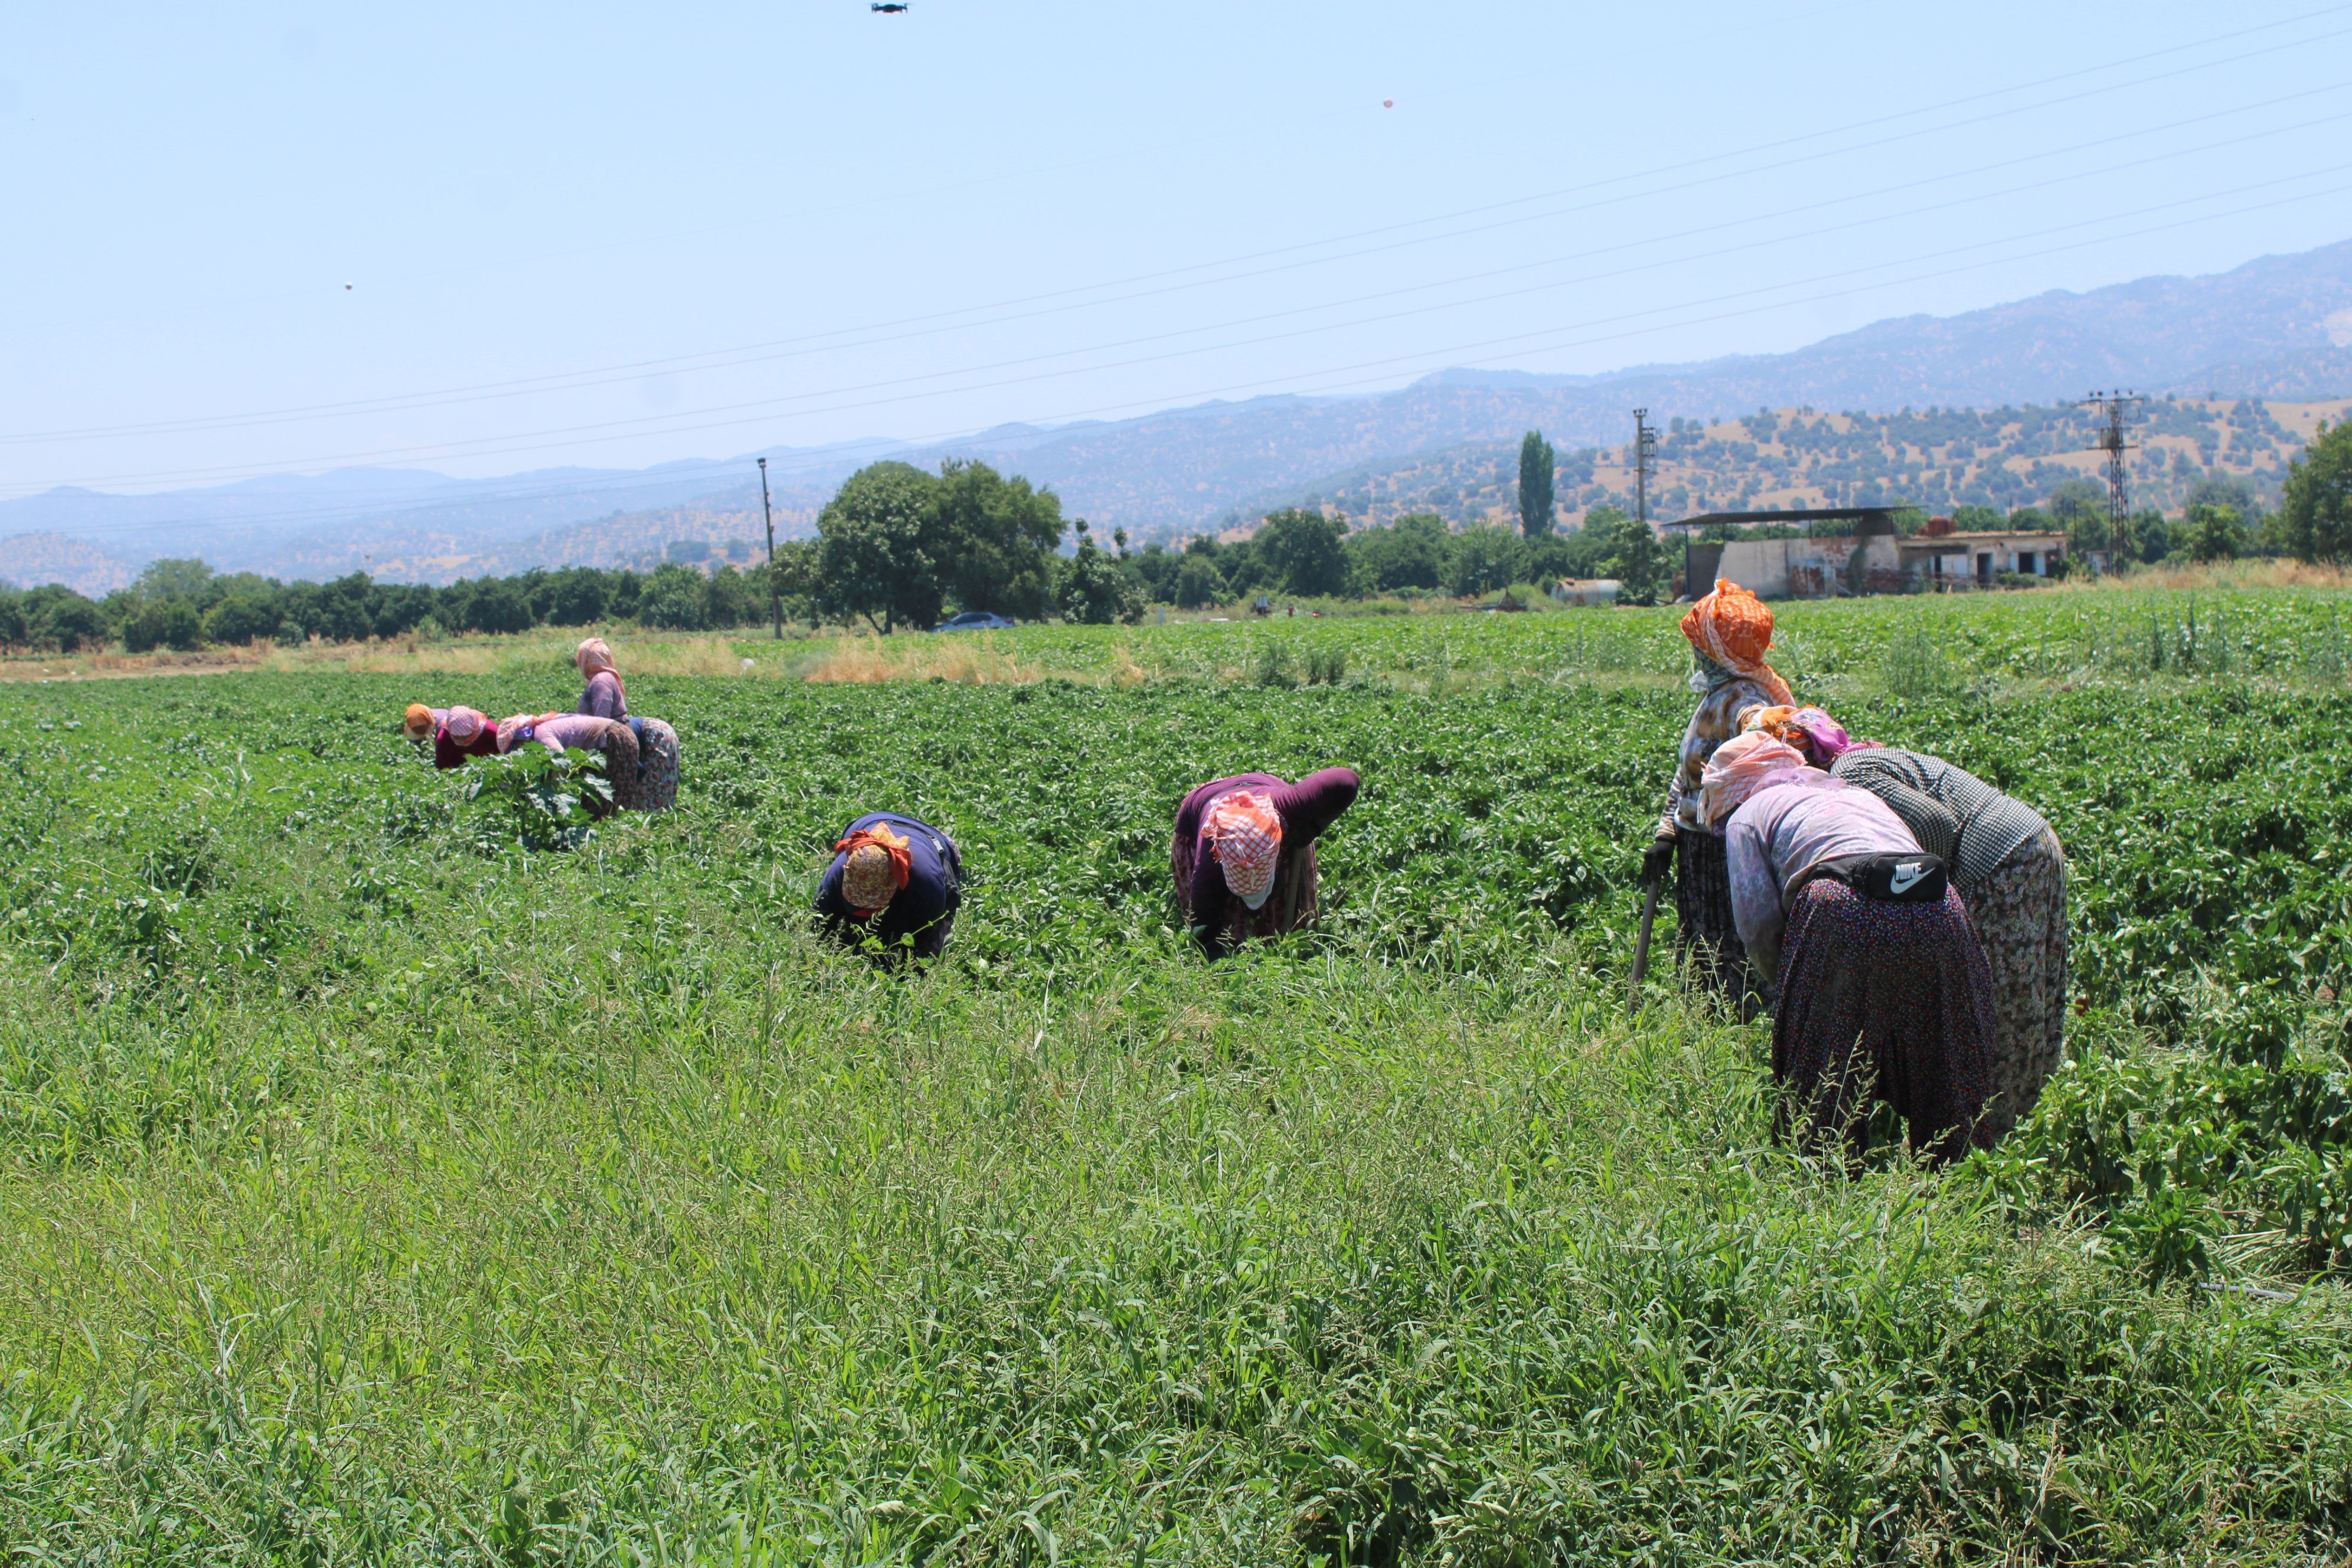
(1730, 634)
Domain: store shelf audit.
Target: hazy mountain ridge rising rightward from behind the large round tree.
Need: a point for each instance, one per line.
(2278, 328)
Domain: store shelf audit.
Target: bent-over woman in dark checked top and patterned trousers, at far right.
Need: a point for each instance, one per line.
(2010, 871)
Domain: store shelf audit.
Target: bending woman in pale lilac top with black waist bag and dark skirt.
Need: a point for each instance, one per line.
(1885, 993)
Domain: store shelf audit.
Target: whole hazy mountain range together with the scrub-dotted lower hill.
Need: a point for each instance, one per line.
(2278, 330)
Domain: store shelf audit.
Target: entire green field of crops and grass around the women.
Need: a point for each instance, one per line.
(382, 1188)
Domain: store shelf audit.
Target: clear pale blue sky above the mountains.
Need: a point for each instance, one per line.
(620, 236)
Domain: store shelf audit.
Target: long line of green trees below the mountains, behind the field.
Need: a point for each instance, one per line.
(902, 547)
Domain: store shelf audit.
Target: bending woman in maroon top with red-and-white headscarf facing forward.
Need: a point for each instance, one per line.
(1245, 852)
